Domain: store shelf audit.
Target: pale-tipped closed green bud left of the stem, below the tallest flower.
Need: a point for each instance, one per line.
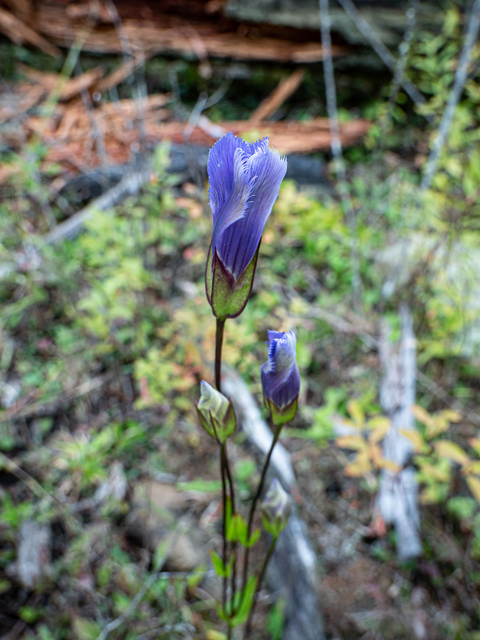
(215, 412)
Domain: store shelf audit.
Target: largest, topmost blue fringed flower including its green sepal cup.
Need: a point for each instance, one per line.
(244, 182)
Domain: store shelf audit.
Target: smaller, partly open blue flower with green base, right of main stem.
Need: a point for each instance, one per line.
(280, 376)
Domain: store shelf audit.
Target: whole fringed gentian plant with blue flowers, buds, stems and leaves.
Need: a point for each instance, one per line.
(244, 182)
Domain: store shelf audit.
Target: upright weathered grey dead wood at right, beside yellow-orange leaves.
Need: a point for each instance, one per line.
(398, 494)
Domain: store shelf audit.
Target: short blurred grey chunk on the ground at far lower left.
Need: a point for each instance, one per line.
(33, 557)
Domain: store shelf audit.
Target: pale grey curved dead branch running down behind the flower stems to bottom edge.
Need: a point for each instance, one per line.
(292, 570)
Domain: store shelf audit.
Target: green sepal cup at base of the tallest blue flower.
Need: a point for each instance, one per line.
(227, 297)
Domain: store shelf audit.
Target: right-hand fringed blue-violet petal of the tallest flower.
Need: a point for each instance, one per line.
(240, 240)
